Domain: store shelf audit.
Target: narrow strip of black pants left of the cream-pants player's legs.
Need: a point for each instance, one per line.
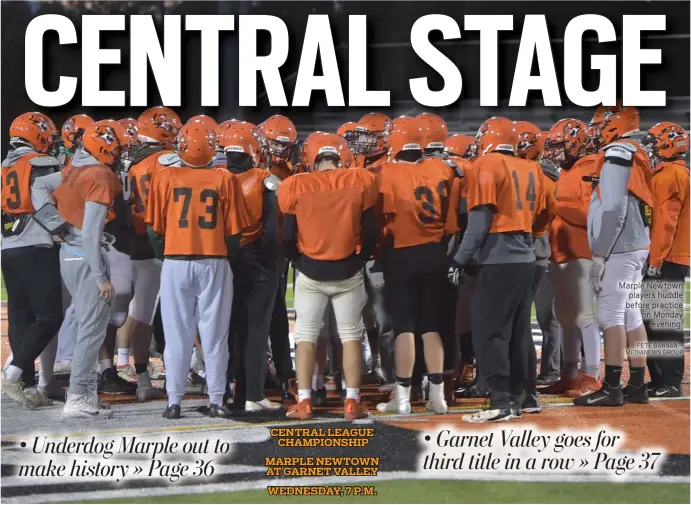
(279, 329)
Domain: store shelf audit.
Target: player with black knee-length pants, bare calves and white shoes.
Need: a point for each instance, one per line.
(416, 198)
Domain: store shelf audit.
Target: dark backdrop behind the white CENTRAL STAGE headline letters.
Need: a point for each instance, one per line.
(391, 61)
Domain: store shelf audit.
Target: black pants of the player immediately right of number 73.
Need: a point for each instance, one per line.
(255, 281)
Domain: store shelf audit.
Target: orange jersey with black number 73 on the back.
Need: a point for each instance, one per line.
(195, 209)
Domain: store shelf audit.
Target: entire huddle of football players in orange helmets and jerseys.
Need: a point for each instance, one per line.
(425, 248)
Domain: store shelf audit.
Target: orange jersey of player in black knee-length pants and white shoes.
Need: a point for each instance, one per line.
(416, 198)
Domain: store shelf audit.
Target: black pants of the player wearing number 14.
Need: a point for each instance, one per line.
(502, 339)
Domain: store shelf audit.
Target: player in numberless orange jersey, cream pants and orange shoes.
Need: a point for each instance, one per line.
(330, 260)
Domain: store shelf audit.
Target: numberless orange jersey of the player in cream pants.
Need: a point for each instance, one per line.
(328, 206)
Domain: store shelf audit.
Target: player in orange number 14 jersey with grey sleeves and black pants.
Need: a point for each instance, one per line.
(507, 206)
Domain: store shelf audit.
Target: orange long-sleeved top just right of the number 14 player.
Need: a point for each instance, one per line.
(569, 229)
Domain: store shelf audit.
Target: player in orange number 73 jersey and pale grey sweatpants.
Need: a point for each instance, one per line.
(195, 216)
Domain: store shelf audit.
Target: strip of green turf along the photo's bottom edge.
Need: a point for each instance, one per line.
(449, 491)
